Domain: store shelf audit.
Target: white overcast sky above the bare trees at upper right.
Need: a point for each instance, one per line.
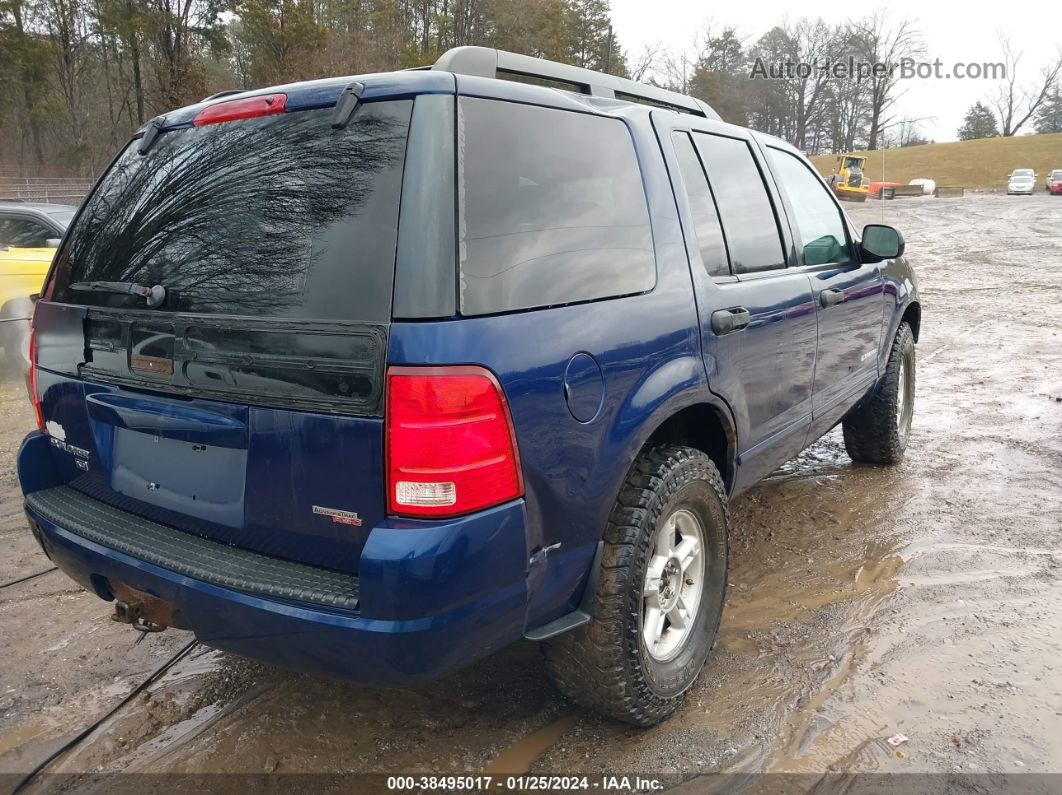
(953, 32)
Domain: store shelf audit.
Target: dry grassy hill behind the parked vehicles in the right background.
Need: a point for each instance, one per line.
(981, 164)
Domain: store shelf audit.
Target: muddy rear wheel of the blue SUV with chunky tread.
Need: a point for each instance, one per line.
(660, 596)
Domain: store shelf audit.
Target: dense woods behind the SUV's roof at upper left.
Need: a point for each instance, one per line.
(78, 78)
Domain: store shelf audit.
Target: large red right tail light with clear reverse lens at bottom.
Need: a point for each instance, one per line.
(451, 445)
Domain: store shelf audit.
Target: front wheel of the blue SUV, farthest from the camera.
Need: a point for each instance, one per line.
(878, 430)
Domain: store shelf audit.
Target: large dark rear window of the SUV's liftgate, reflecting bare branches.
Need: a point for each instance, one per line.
(281, 216)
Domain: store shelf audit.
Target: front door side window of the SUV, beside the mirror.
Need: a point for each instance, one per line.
(820, 223)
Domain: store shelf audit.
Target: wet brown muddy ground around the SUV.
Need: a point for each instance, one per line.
(923, 600)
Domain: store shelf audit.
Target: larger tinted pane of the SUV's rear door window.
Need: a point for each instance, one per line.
(752, 231)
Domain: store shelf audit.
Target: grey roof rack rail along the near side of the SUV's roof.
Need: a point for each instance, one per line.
(485, 62)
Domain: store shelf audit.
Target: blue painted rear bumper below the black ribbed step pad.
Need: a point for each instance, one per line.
(429, 602)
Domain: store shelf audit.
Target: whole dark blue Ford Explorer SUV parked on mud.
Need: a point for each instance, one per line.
(371, 377)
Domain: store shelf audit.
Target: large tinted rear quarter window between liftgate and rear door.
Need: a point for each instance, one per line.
(554, 209)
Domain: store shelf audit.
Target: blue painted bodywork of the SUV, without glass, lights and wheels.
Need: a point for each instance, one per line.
(588, 385)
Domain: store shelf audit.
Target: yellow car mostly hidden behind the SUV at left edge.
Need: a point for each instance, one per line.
(22, 274)
